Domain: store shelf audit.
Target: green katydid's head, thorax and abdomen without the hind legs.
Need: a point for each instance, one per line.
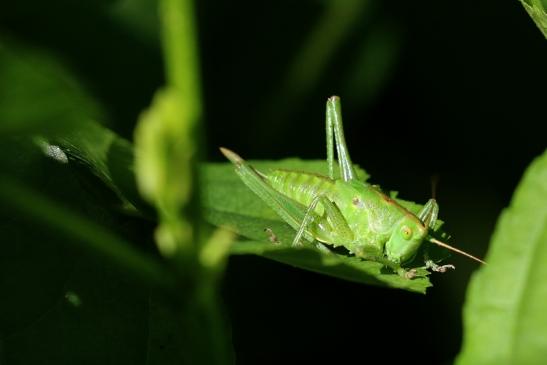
(375, 221)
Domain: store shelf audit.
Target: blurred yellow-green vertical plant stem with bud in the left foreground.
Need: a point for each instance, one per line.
(168, 144)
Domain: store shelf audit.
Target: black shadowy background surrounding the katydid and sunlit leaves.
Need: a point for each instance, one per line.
(452, 89)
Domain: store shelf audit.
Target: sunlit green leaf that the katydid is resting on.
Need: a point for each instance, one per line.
(228, 202)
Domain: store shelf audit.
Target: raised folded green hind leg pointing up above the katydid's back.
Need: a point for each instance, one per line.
(334, 124)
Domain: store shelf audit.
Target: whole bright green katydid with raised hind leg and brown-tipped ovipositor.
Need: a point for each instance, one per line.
(345, 211)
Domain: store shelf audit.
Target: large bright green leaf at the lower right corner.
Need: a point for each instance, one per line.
(505, 317)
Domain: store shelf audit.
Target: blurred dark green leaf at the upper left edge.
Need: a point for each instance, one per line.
(38, 94)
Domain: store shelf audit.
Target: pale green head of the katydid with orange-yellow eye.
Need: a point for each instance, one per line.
(405, 240)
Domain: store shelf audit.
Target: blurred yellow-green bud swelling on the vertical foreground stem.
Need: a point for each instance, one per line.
(164, 139)
